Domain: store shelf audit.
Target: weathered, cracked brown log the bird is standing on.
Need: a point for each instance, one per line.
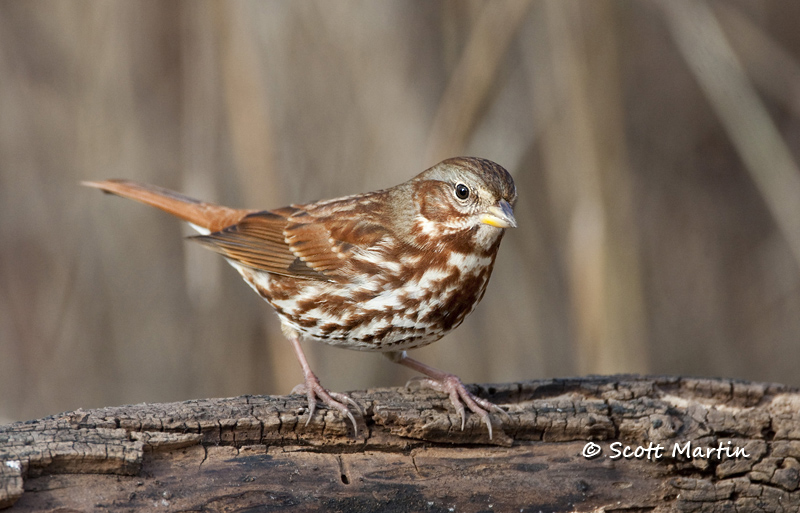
(256, 452)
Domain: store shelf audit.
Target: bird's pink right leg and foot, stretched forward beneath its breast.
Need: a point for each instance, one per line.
(452, 386)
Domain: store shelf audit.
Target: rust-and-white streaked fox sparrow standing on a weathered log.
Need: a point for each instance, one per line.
(383, 271)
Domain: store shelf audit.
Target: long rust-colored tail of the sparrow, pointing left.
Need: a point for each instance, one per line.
(205, 215)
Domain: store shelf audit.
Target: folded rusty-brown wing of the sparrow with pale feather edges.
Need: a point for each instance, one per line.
(305, 241)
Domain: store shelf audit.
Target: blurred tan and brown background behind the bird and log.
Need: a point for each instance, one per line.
(654, 146)
